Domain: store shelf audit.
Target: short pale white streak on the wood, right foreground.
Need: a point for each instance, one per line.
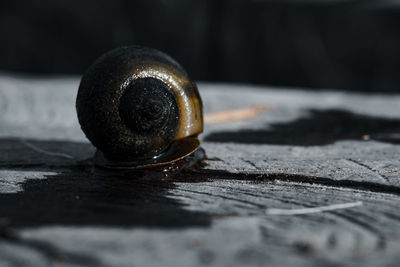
(313, 210)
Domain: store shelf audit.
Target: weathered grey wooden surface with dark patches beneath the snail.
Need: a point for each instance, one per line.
(314, 149)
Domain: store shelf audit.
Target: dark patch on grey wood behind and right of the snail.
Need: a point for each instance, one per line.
(320, 128)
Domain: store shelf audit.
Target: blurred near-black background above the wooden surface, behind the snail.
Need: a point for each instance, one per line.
(352, 45)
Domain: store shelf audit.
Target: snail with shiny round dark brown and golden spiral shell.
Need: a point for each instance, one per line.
(139, 108)
